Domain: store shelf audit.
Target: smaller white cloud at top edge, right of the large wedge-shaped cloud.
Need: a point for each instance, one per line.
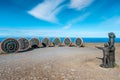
(80, 4)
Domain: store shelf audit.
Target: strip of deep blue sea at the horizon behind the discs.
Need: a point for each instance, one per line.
(85, 40)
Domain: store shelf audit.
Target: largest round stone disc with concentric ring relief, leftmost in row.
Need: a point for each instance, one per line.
(10, 45)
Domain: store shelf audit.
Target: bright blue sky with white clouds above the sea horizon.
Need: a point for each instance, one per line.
(59, 18)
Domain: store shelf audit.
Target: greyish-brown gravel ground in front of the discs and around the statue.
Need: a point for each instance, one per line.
(58, 63)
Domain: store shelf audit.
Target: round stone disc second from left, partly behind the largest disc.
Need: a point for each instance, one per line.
(24, 44)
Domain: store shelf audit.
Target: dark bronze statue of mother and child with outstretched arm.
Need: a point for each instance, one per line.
(108, 60)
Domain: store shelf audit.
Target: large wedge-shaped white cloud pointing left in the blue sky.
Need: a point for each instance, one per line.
(47, 10)
